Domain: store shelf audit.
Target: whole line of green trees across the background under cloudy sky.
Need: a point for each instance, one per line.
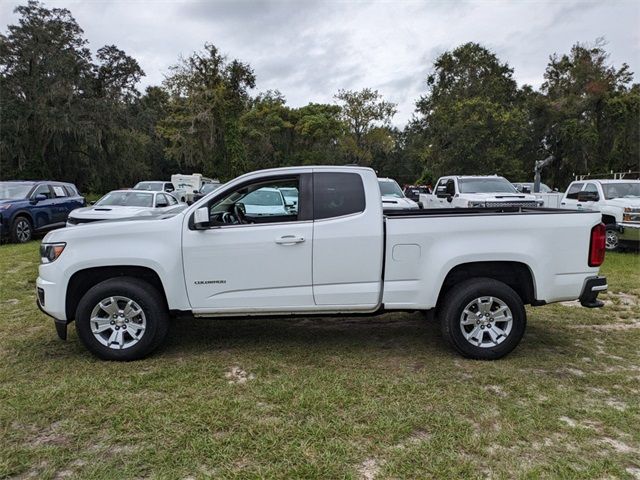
(69, 114)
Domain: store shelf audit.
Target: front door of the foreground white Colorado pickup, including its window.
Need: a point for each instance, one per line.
(254, 257)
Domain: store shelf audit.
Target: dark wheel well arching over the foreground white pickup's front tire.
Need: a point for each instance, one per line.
(81, 281)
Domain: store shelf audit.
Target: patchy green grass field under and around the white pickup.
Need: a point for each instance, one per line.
(323, 398)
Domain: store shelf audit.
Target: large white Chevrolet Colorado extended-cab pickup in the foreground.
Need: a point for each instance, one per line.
(336, 253)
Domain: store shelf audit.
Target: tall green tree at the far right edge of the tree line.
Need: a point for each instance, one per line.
(591, 113)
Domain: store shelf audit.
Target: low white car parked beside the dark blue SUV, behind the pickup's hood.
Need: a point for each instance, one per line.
(120, 204)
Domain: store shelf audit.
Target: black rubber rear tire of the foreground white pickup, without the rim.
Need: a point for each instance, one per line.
(460, 296)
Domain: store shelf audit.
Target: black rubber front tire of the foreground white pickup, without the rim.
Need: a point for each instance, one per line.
(149, 300)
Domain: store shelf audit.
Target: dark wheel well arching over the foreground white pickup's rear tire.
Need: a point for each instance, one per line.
(515, 274)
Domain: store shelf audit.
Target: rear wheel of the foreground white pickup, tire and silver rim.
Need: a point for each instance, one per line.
(483, 318)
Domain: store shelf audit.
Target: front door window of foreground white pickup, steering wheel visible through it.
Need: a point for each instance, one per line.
(260, 202)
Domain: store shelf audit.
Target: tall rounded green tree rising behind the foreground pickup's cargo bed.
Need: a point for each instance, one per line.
(472, 120)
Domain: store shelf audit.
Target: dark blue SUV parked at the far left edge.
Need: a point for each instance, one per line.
(28, 207)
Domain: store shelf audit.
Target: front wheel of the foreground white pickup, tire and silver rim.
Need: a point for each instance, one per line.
(122, 319)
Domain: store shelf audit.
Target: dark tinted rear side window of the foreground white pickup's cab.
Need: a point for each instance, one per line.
(337, 194)
